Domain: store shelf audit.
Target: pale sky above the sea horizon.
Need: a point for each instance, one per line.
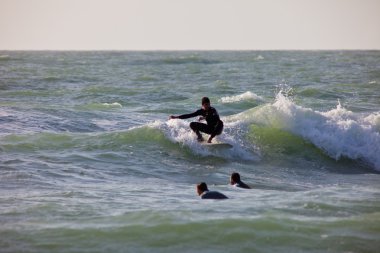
(189, 24)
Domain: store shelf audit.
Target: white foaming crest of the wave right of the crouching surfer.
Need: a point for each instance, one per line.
(338, 132)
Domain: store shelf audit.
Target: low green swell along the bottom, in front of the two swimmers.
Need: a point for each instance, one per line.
(166, 232)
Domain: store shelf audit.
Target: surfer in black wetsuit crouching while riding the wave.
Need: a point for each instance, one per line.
(214, 125)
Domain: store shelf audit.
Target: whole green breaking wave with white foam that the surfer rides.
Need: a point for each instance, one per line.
(279, 127)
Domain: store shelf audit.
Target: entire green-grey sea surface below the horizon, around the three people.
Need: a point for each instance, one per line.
(90, 162)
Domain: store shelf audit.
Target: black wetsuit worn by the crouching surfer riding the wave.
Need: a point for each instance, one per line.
(214, 124)
